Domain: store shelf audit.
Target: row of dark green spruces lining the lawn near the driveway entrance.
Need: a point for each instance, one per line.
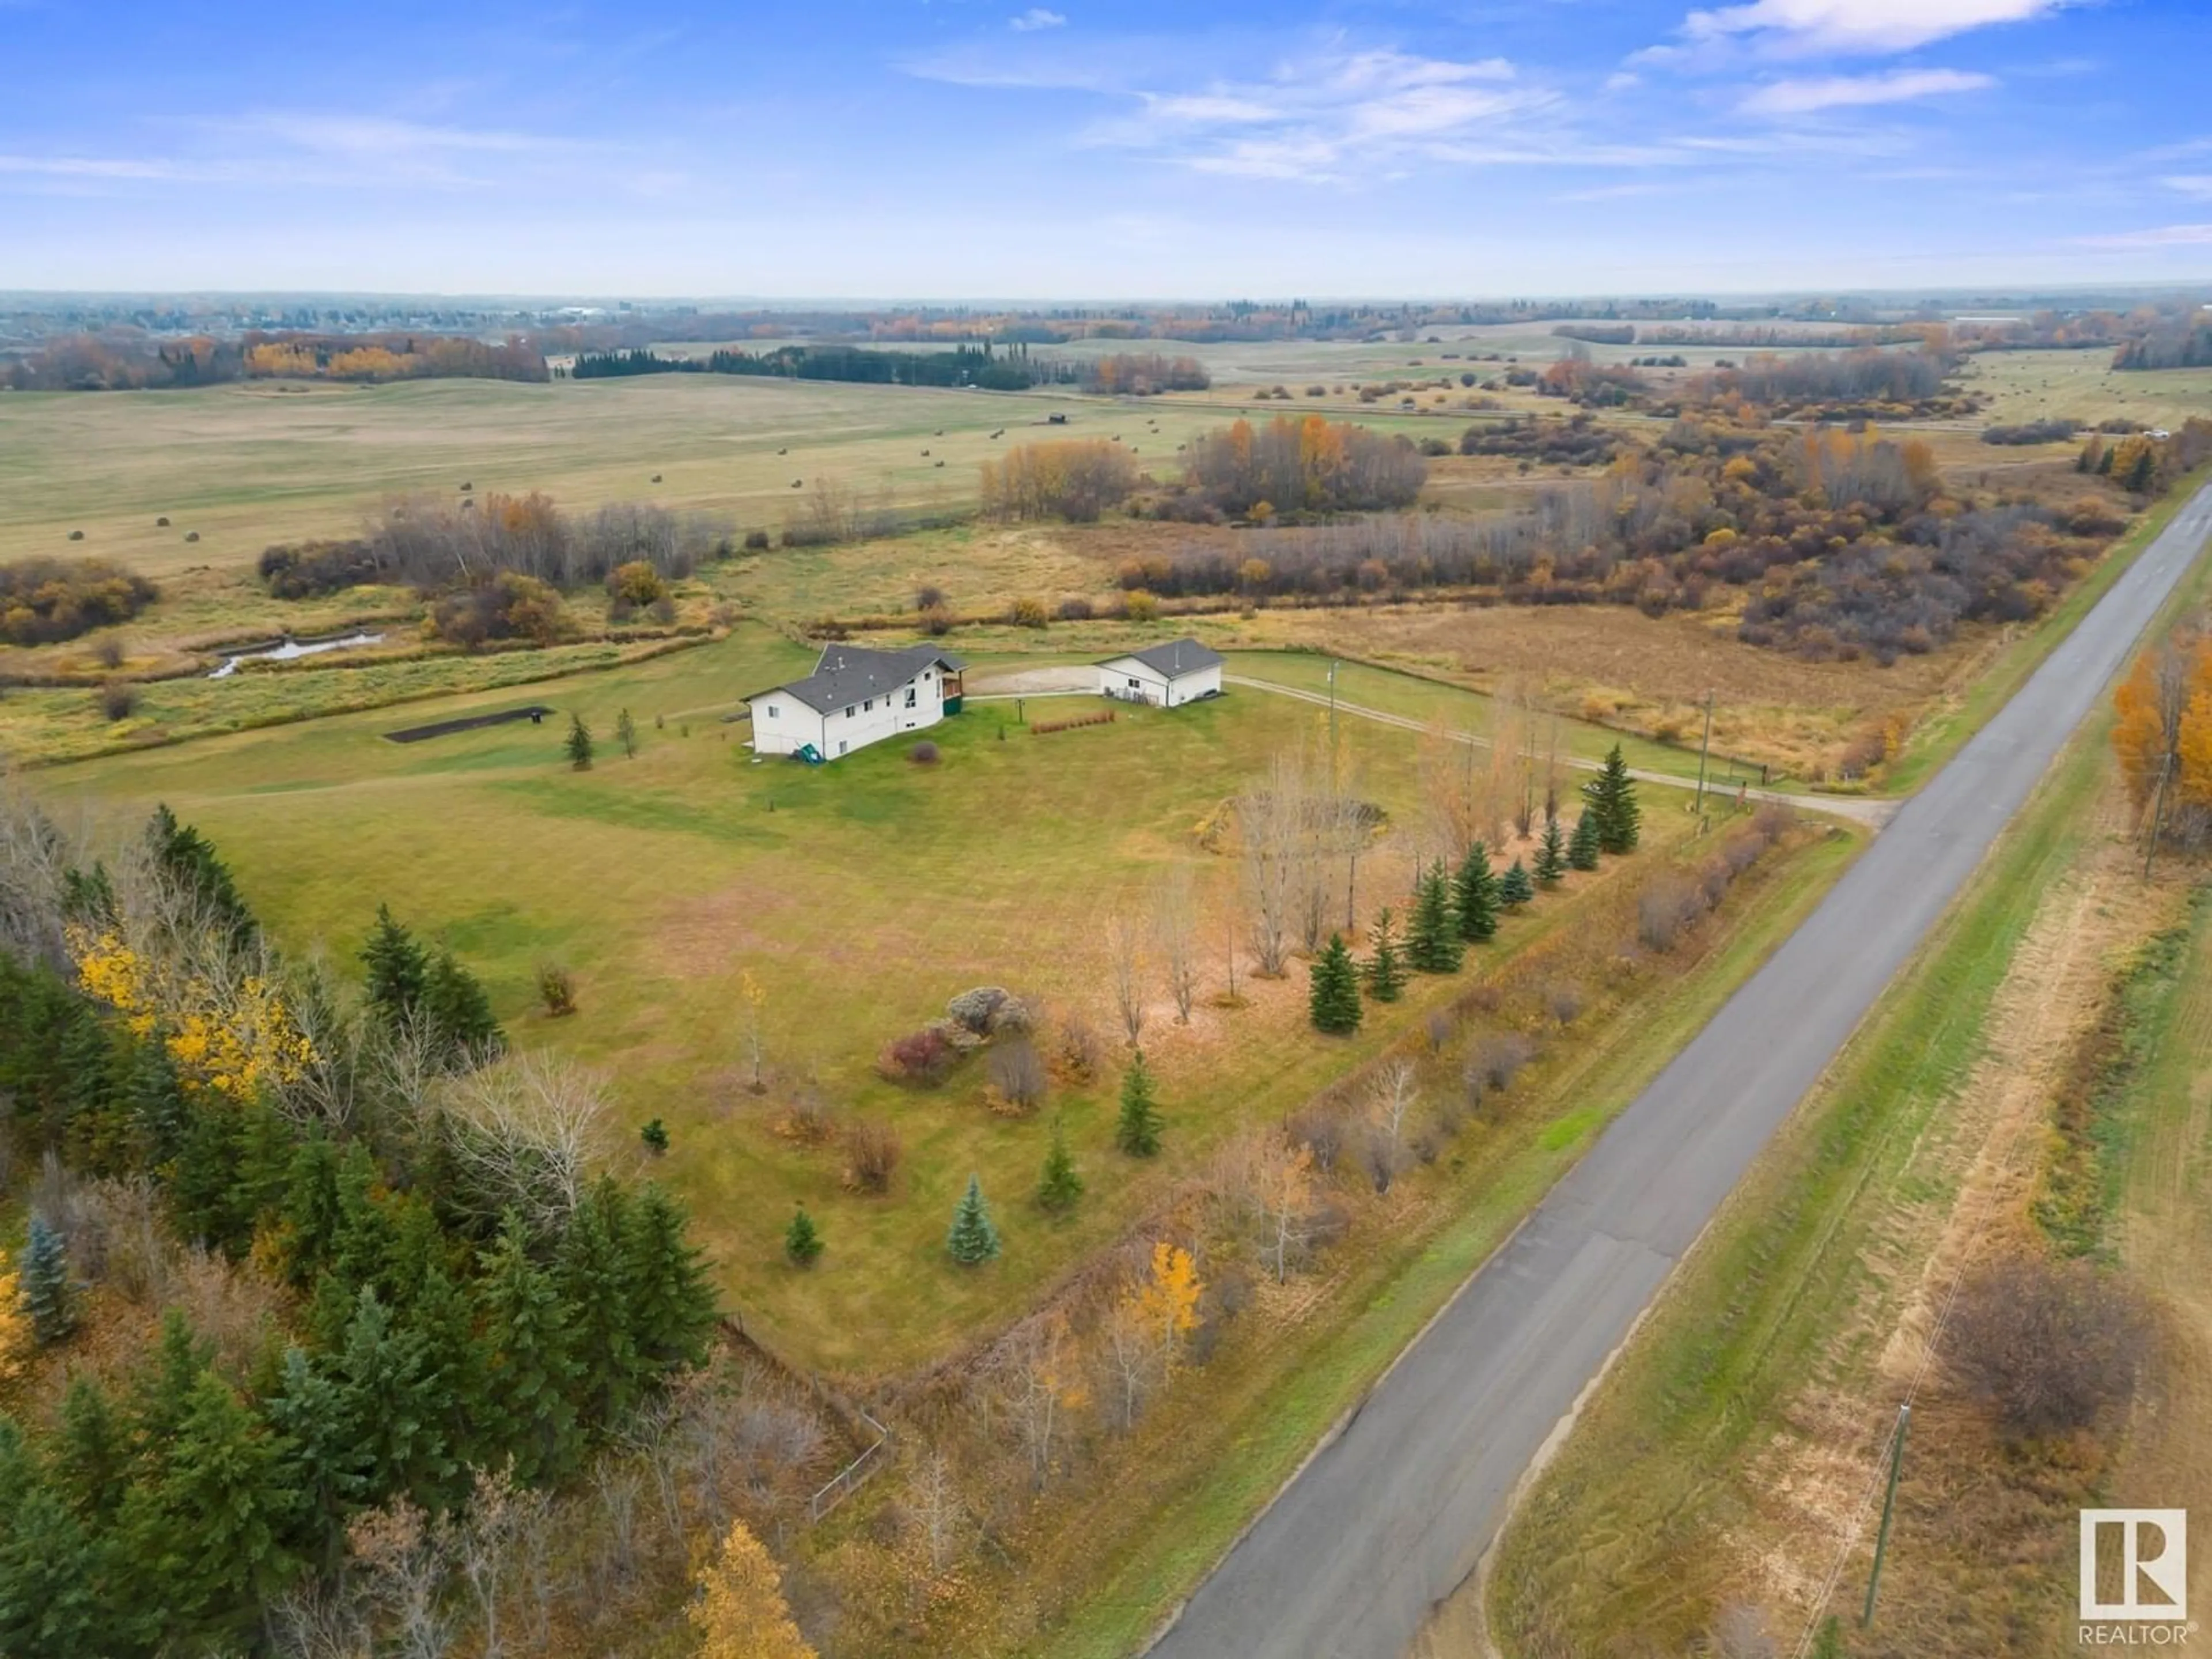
(1459, 908)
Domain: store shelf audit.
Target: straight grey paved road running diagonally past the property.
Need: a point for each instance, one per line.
(1390, 1516)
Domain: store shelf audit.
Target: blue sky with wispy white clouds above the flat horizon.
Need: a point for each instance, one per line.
(941, 149)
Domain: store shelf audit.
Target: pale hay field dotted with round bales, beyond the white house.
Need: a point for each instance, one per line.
(247, 466)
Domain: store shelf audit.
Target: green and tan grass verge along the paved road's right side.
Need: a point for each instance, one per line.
(1729, 1457)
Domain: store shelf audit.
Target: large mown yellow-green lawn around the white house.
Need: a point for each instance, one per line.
(859, 897)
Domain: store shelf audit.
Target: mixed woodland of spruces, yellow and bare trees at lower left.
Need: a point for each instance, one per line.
(446, 1297)
